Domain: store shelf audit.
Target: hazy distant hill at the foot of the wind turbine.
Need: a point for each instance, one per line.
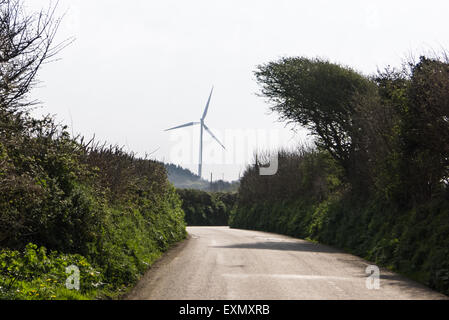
(183, 178)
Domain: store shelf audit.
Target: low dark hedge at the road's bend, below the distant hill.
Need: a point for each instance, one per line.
(205, 208)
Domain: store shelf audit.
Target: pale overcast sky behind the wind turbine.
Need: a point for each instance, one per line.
(138, 67)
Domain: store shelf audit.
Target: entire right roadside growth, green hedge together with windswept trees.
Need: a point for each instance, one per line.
(376, 183)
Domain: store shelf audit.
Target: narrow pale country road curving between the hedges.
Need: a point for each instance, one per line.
(222, 263)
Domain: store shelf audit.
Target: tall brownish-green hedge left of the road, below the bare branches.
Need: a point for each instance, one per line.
(117, 212)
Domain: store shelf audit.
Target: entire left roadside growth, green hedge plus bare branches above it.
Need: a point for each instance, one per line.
(104, 210)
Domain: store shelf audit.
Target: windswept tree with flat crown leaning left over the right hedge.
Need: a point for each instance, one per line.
(317, 95)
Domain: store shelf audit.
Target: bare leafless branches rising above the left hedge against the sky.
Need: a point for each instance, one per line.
(26, 42)
